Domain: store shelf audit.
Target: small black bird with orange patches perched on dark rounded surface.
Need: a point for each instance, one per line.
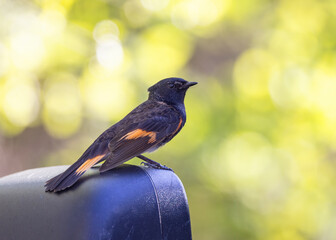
(146, 128)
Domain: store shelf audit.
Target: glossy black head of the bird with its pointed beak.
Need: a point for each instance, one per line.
(170, 90)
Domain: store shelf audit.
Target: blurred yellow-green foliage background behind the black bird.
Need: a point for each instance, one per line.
(258, 153)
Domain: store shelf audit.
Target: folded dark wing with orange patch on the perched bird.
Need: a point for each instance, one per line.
(140, 137)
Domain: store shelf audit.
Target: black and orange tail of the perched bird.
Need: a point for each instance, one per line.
(72, 174)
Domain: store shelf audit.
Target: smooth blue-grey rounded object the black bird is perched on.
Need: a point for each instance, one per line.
(129, 202)
